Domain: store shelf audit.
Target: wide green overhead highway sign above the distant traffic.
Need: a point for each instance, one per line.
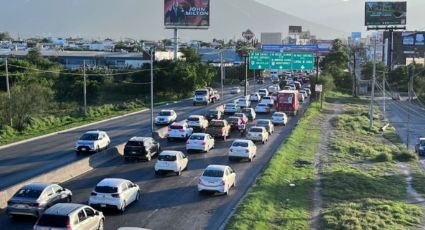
(281, 61)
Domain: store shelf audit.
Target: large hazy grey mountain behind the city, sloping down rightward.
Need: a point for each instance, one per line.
(143, 19)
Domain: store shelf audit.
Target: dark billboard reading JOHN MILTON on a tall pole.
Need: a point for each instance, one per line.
(187, 14)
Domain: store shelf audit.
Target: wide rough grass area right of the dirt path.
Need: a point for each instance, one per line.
(362, 187)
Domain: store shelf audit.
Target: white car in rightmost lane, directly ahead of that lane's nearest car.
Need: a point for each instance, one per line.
(242, 149)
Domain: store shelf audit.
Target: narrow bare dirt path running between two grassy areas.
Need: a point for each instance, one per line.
(330, 112)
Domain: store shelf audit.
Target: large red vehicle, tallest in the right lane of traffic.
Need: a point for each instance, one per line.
(287, 102)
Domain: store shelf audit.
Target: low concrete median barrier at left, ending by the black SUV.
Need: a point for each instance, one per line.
(66, 172)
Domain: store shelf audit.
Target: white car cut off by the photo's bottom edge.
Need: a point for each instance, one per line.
(70, 216)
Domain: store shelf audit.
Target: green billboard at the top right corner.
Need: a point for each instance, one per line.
(385, 13)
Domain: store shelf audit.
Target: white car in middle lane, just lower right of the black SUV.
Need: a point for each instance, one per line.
(171, 161)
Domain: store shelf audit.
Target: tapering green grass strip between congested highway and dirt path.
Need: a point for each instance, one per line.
(272, 203)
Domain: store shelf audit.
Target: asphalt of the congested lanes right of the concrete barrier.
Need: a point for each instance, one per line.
(171, 202)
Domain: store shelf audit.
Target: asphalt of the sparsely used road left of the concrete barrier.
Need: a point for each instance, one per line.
(24, 161)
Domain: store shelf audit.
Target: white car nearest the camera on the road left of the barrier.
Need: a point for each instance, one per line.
(92, 141)
